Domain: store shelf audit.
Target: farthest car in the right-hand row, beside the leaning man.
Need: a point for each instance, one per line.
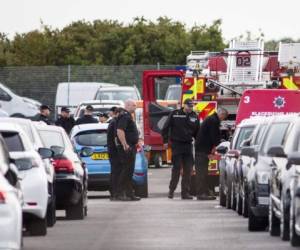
(229, 161)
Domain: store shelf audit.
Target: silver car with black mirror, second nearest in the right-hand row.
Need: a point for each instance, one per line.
(283, 174)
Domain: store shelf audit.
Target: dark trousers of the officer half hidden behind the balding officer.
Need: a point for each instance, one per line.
(115, 172)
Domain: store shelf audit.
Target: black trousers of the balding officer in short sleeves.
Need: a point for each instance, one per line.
(127, 163)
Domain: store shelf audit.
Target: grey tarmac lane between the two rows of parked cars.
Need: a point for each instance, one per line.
(154, 223)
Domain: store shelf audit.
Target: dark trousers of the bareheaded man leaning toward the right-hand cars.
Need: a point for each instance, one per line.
(201, 165)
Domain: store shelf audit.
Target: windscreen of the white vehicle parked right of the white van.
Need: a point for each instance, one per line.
(117, 95)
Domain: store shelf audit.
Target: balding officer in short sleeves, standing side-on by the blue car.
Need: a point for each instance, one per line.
(127, 139)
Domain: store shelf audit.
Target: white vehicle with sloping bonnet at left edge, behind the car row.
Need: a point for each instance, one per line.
(17, 106)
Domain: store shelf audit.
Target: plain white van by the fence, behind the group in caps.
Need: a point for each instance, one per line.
(70, 94)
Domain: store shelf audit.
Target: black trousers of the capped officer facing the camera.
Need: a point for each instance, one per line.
(184, 161)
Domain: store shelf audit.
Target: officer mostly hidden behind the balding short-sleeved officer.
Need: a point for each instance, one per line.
(113, 153)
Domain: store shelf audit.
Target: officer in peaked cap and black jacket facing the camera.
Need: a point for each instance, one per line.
(180, 128)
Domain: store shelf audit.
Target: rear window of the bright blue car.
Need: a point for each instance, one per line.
(92, 138)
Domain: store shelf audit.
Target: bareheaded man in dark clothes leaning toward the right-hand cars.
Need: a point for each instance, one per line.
(208, 137)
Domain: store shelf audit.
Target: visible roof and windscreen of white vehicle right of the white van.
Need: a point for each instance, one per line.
(120, 93)
